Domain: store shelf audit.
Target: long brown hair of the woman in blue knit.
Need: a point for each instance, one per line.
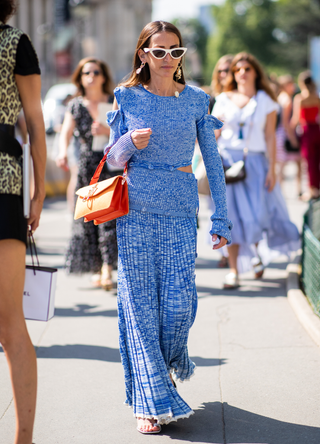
(148, 31)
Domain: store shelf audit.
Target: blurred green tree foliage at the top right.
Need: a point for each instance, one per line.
(276, 32)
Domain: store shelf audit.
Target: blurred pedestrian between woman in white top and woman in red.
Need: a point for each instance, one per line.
(288, 149)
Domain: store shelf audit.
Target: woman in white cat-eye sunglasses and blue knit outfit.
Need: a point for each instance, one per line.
(154, 126)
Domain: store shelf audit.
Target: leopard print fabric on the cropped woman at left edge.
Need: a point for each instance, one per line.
(10, 107)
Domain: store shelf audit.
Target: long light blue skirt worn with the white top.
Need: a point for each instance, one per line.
(258, 216)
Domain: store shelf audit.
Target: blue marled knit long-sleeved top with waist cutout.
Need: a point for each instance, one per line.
(155, 185)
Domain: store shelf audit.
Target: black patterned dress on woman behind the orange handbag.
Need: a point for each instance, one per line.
(90, 245)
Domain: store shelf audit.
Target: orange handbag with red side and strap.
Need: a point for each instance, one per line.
(105, 200)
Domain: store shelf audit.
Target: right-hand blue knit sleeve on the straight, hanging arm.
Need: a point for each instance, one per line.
(206, 125)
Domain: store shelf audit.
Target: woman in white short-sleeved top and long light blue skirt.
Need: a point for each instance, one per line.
(255, 205)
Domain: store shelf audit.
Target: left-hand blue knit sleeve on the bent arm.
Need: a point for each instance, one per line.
(120, 145)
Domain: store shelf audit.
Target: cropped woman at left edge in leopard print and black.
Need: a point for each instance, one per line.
(20, 87)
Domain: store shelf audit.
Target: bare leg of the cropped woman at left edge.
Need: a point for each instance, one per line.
(15, 339)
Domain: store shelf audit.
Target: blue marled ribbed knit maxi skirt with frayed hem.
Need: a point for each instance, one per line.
(157, 304)
